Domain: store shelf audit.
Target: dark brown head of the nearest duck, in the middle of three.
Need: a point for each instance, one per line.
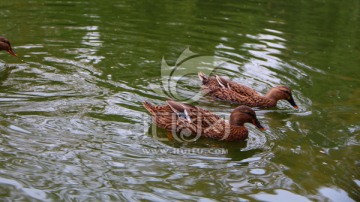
(244, 114)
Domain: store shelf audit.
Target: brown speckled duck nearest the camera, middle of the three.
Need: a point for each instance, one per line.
(185, 118)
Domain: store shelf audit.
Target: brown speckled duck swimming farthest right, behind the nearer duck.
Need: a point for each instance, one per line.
(230, 91)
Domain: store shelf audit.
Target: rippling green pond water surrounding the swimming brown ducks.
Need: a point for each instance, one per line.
(72, 125)
